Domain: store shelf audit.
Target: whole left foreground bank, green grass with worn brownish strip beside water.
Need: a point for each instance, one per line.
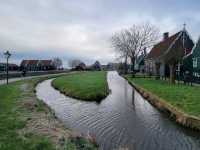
(28, 124)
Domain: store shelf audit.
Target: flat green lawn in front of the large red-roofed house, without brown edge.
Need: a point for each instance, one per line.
(184, 97)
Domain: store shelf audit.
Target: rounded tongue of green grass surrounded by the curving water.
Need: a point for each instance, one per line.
(90, 86)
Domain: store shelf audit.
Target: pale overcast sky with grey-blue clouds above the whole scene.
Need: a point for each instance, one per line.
(43, 29)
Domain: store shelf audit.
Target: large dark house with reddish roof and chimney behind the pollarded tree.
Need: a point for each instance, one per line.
(178, 45)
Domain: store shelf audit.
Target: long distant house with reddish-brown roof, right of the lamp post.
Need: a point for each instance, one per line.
(37, 65)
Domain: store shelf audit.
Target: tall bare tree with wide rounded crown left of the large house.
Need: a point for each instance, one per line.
(131, 42)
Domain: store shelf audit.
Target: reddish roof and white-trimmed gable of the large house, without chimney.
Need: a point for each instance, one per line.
(173, 49)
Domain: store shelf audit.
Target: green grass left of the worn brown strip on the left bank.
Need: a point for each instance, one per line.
(11, 122)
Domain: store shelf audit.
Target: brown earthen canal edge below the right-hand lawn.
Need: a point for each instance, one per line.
(177, 115)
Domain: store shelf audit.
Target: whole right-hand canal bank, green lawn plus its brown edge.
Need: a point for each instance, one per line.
(179, 101)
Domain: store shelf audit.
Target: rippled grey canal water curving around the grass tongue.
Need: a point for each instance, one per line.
(122, 120)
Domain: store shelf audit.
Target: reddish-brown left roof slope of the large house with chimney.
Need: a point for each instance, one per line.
(162, 46)
